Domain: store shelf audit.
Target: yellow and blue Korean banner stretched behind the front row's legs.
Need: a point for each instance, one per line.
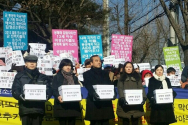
(9, 110)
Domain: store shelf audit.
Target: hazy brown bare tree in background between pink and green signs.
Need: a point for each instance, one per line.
(148, 47)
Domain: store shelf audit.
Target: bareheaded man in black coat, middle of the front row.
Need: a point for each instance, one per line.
(97, 111)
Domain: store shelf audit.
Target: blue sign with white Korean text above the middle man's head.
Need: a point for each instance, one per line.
(90, 45)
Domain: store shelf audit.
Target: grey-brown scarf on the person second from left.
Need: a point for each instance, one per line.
(68, 78)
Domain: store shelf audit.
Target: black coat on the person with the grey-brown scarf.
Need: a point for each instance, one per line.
(65, 109)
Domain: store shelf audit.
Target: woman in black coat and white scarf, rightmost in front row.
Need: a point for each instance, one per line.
(161, 114)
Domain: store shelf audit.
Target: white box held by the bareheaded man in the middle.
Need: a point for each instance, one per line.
(104, 91)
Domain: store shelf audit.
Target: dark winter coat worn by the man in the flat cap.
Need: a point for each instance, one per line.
(30, 107)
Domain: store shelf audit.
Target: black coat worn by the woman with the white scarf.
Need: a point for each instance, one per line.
(160, 113)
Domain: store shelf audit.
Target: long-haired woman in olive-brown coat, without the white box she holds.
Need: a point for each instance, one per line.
(130, 80)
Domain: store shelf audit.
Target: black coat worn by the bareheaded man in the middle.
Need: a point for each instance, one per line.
(97, 110)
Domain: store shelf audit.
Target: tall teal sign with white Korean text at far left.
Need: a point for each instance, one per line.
(15, 30)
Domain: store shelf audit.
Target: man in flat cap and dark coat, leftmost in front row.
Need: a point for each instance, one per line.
(31, 112)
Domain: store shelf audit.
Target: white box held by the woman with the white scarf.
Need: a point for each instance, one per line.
(163, 96)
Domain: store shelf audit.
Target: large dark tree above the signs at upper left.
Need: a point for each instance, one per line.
(45, 15)
